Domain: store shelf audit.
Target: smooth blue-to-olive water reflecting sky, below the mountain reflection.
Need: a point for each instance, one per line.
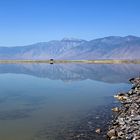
(31, 106)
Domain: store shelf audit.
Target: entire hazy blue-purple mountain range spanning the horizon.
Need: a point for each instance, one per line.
(112, 47)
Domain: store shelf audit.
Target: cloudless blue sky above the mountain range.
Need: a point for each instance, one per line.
(29, 21)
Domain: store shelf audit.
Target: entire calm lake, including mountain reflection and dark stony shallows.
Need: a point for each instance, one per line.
(59, 101)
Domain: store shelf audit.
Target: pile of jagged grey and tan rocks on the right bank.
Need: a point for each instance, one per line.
(126, 125)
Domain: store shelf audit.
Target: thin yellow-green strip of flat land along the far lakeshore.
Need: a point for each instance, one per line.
(104, 61)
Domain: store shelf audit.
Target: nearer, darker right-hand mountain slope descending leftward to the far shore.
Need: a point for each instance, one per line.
(107, 48)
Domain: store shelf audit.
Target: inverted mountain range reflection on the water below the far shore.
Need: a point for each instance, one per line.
(111, 73)
